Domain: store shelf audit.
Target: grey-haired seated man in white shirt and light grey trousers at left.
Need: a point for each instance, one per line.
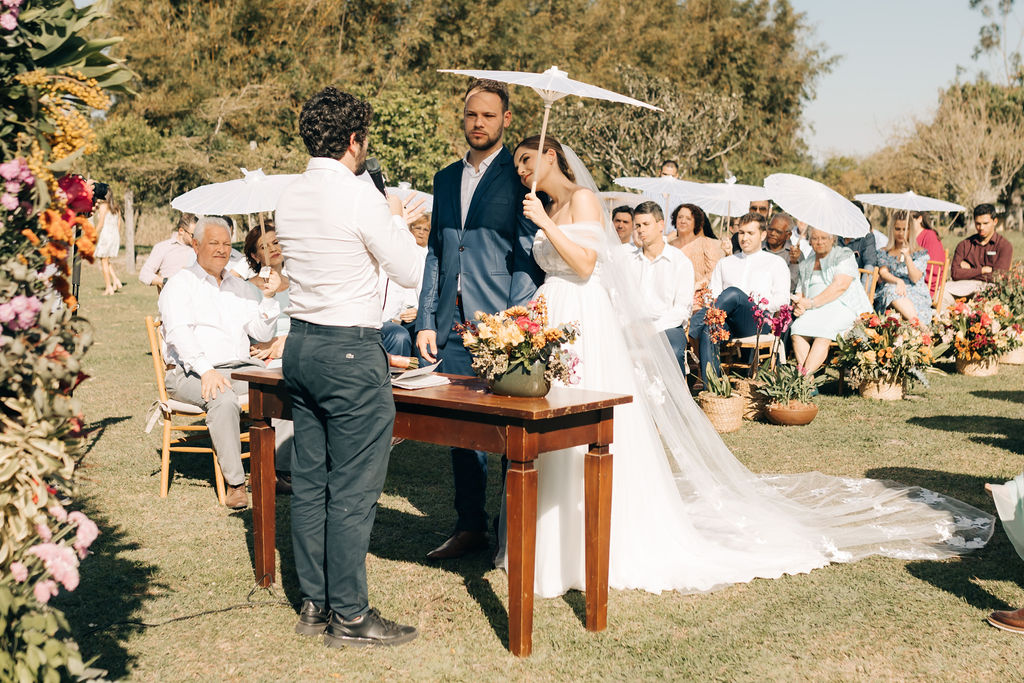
(208, 319)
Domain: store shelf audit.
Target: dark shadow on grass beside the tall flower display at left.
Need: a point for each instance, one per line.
(113, 590)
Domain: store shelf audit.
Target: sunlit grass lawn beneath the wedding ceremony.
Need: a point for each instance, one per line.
(156, 600)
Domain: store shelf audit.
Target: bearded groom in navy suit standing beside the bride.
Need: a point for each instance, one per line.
(479, 259)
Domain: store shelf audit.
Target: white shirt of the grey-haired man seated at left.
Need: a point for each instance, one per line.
(206, 324)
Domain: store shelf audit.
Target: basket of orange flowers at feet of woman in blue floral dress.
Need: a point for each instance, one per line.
(883, 355)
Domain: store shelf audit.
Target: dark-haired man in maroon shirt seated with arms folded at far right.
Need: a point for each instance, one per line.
(979, 259)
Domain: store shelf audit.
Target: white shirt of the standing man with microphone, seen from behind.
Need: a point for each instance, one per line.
(337, 234)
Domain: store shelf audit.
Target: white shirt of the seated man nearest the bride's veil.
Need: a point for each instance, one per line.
(667, 286)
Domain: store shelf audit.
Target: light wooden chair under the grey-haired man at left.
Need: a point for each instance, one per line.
(166, 410)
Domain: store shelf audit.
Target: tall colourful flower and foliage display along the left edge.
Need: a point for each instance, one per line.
(47, 110)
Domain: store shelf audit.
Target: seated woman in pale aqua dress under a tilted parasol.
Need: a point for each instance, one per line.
(830, 298)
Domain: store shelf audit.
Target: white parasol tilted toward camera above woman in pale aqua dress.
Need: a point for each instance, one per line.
(817, 205)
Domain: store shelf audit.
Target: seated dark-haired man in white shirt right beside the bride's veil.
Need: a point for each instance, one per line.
(666, 279)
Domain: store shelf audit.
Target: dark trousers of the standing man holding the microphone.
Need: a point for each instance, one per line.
(345, 415)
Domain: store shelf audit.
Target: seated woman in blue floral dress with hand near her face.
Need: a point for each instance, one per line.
(902, 272)
